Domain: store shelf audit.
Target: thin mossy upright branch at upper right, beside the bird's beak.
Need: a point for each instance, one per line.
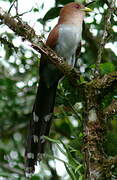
(105, 35)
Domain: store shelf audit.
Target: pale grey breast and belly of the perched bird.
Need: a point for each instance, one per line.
(69, 38)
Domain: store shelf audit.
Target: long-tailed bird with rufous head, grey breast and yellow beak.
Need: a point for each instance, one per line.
(65, 40)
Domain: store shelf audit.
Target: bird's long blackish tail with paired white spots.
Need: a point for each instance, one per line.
(40, 124)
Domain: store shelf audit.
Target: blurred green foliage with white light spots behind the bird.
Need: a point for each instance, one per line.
(18, 83)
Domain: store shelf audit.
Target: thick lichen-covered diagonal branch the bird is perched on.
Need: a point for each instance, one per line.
(24, 30)
